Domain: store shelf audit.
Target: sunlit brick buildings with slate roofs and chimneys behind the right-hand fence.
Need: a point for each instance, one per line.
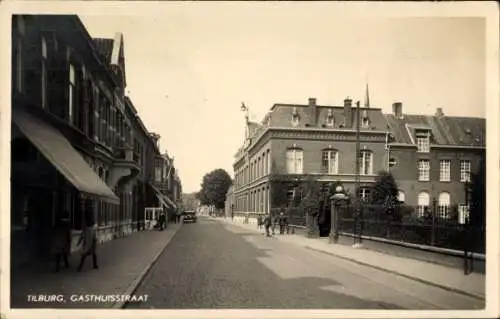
(430, 156)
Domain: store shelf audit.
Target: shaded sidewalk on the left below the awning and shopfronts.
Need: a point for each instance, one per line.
(122, 264)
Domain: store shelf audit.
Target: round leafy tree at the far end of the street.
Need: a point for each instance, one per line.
(214, 188)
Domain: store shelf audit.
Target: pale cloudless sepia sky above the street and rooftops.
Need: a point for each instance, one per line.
(189, 69)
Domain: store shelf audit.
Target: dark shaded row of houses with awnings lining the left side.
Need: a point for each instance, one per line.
(77, 141)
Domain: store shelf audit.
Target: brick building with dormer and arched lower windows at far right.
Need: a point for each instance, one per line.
(433, 156)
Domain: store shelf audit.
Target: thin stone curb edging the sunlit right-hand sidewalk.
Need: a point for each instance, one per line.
(455, 290)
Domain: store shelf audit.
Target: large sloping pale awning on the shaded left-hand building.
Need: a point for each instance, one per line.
(59, 151)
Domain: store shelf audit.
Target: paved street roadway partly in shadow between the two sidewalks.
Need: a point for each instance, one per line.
(215, 265)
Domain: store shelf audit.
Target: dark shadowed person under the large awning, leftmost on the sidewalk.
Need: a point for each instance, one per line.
(61, 241)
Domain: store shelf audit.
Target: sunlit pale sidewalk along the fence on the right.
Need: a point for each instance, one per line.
(448, 278)
